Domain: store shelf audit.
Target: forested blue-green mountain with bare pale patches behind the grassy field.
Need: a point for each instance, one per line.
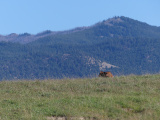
(121, 45)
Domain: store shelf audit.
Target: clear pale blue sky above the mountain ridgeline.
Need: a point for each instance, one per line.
(34, 16)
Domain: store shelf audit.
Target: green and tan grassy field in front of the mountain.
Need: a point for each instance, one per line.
(125, 97)
